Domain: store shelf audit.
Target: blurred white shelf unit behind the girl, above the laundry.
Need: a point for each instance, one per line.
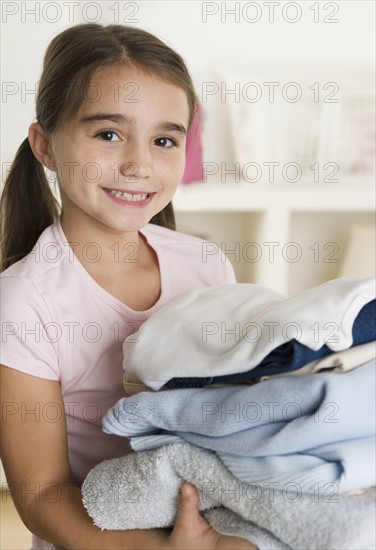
(328, 134)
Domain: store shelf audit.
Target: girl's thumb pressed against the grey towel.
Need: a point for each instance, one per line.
(188, 518)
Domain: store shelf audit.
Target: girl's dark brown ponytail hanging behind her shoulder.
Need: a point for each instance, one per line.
(27, 206)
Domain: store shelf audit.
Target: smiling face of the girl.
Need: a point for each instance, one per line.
(121, 158)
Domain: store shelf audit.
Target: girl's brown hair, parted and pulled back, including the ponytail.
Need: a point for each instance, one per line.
(27, 204)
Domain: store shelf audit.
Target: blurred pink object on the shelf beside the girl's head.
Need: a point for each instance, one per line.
(193, 149)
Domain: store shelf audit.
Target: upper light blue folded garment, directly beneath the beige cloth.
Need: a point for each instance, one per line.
(280, 416)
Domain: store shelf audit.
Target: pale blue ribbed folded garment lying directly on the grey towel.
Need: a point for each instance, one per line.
(347, 465)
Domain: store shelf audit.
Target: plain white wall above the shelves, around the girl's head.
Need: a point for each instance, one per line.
(208, 47)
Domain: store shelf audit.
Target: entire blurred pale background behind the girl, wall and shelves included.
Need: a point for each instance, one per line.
(282, 165)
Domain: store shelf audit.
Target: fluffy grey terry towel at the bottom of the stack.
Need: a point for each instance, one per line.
(117, 493)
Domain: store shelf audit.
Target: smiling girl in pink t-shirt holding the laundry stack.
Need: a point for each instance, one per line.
(113, 110)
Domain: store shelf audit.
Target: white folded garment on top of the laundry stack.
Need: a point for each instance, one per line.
(191, 334)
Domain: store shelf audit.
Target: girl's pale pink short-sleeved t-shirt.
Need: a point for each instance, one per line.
(59, 324)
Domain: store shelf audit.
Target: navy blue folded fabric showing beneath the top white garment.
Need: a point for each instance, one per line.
(288, 357)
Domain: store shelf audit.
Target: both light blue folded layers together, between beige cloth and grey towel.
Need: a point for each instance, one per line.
(309, 429)
